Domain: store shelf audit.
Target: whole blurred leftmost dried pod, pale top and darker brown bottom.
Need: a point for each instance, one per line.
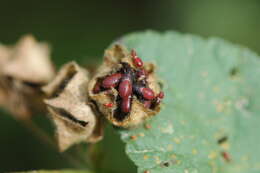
(24, 68)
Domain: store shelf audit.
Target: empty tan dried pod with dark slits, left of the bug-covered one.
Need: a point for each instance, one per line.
(67, 103)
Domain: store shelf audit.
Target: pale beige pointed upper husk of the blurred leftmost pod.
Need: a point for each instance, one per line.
(30, 61)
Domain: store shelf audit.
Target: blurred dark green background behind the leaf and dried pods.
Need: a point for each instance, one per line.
(81, 30)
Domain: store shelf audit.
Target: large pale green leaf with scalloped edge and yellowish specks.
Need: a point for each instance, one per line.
(212, 92)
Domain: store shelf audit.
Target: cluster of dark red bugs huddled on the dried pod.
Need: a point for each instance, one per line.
(128, 82)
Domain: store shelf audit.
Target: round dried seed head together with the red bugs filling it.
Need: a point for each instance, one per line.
(124, 89)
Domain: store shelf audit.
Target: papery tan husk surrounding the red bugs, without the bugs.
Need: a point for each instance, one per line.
(112, 62)
